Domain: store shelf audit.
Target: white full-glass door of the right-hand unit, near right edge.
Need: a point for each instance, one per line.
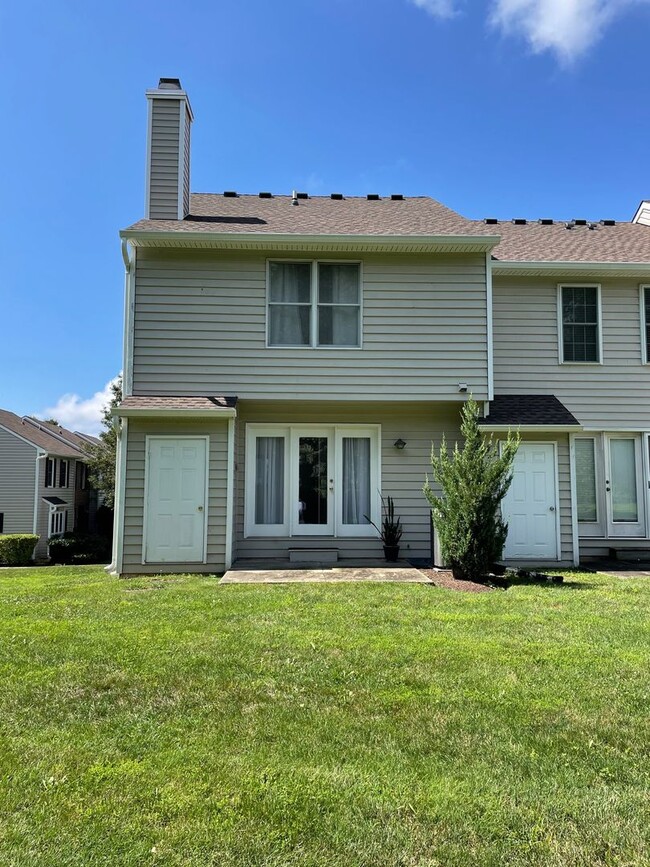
(623, 488)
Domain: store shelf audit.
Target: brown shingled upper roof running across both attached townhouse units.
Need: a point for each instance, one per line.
(521, 241)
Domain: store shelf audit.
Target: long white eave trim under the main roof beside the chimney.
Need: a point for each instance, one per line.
(478, 243)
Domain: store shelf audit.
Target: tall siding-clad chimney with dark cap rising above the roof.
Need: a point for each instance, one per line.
(167, 192)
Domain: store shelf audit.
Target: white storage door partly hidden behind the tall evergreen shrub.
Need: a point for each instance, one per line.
(530, 507)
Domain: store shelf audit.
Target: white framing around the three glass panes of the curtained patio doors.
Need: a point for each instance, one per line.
(291, 434)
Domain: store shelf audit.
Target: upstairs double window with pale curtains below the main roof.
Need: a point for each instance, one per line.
(314, 304)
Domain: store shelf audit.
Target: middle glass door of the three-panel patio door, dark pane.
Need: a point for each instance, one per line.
(312, 487)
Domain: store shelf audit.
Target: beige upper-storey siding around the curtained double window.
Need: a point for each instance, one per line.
(200, 328)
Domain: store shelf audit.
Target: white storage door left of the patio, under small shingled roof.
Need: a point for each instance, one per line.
(176, 500)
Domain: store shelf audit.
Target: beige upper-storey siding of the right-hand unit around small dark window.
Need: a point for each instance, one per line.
(607, 396)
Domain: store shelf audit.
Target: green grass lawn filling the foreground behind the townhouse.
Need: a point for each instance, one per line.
(170, 721)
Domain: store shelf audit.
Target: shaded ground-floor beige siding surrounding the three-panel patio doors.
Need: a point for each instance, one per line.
(403, 472)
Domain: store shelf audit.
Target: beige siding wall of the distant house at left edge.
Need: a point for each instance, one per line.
(17, 472)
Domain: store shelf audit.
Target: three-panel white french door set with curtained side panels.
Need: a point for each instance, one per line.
(312, 481)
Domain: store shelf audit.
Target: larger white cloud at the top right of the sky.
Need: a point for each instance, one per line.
(566, 27)
